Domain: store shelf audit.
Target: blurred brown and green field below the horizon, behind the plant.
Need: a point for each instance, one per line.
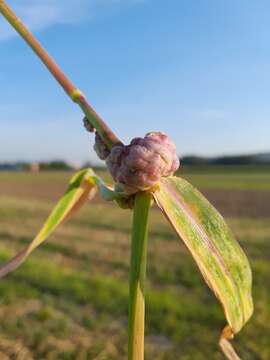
(69, 300)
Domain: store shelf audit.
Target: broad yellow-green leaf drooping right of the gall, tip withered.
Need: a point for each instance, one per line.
(219, 257)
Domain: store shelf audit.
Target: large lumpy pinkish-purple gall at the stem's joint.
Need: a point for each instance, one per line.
(140, 165)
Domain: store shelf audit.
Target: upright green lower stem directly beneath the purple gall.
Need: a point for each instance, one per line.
(137, 276)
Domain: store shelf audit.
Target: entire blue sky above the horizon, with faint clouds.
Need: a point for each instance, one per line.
(196, 69)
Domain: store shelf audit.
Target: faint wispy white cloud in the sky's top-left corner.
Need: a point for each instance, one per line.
(41, 14)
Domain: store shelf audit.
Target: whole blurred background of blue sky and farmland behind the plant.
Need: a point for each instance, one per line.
(197, 70)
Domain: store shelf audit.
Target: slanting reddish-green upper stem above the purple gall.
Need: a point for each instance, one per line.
(109, 138)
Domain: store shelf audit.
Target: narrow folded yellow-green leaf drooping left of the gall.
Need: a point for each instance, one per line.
(82, 187)
